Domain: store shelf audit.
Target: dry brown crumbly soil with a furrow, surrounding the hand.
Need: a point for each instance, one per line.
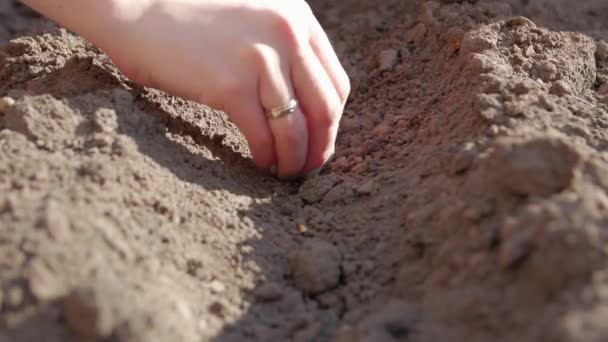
(467, 200)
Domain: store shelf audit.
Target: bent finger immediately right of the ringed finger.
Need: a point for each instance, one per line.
(323, 107)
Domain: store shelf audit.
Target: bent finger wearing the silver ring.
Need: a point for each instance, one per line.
(290, 132)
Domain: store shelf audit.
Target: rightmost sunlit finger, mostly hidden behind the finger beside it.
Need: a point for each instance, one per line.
(322, 47)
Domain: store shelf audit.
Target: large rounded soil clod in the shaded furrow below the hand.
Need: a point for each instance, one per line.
(316, 267)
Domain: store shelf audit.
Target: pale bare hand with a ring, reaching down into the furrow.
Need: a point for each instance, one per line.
(240, 56)
